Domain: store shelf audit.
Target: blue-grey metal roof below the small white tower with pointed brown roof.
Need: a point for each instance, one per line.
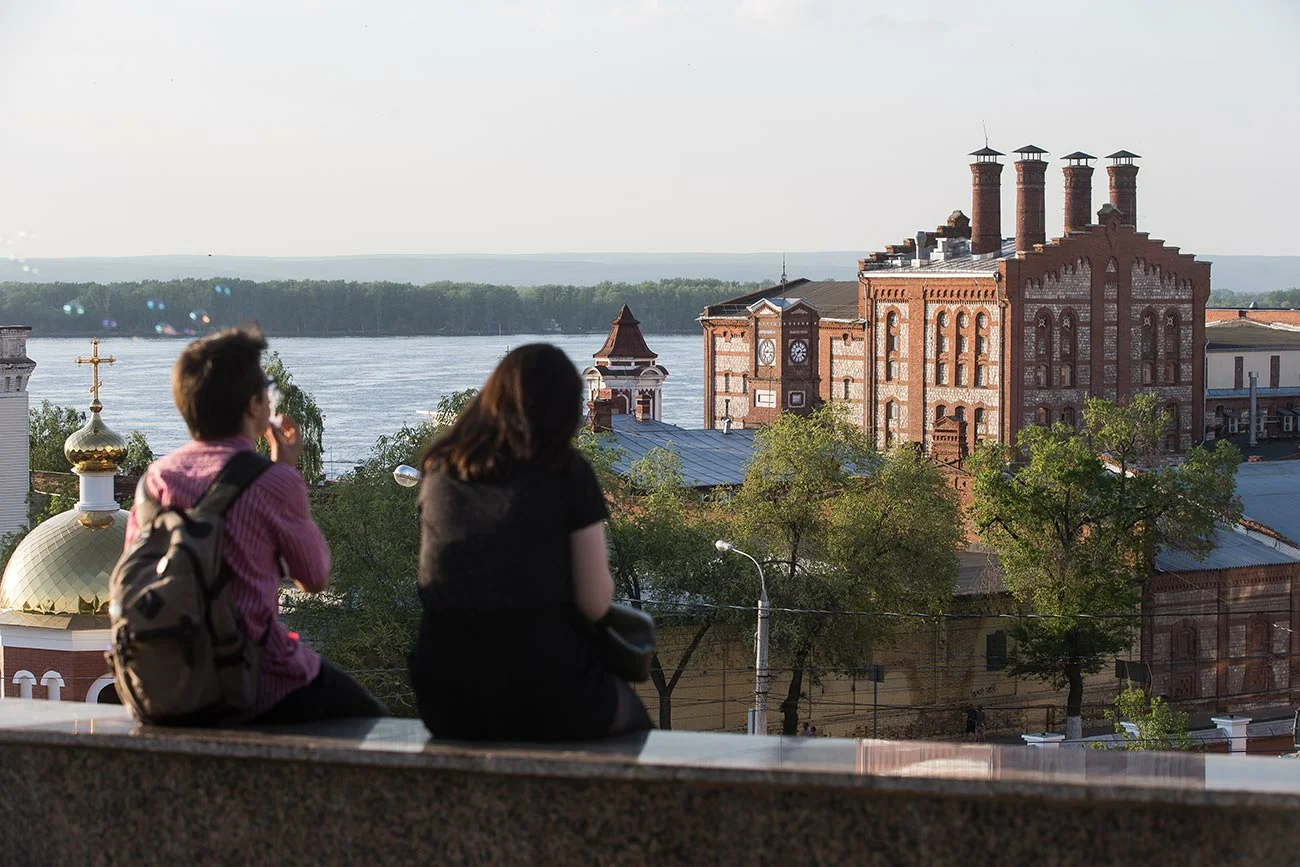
(709, 458)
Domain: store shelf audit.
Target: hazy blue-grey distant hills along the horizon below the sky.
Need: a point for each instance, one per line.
(1234, 274)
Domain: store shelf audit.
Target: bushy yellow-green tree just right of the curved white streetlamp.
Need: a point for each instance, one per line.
(848, 531)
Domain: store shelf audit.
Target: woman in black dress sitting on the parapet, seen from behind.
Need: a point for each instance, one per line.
(514, 570)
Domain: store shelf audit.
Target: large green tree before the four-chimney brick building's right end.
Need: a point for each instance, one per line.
(1077, 518)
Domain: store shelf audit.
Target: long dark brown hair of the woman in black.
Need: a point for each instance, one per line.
(526, 415)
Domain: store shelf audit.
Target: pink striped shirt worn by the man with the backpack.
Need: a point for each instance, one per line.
(271, 521)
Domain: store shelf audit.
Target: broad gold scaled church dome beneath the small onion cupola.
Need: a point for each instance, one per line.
(63, 566)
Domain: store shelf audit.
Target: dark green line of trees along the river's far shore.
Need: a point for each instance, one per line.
(328, 309)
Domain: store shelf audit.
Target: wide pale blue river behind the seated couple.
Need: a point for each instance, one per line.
(366, 387)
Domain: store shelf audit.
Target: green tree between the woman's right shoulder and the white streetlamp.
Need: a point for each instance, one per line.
(662, 539)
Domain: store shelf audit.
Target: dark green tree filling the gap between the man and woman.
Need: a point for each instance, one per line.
(367, 621)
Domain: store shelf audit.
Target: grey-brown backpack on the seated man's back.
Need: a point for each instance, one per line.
(181, 652)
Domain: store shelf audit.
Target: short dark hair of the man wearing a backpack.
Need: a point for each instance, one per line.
(215, 379)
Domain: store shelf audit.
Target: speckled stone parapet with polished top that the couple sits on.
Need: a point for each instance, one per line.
(380, 792)
